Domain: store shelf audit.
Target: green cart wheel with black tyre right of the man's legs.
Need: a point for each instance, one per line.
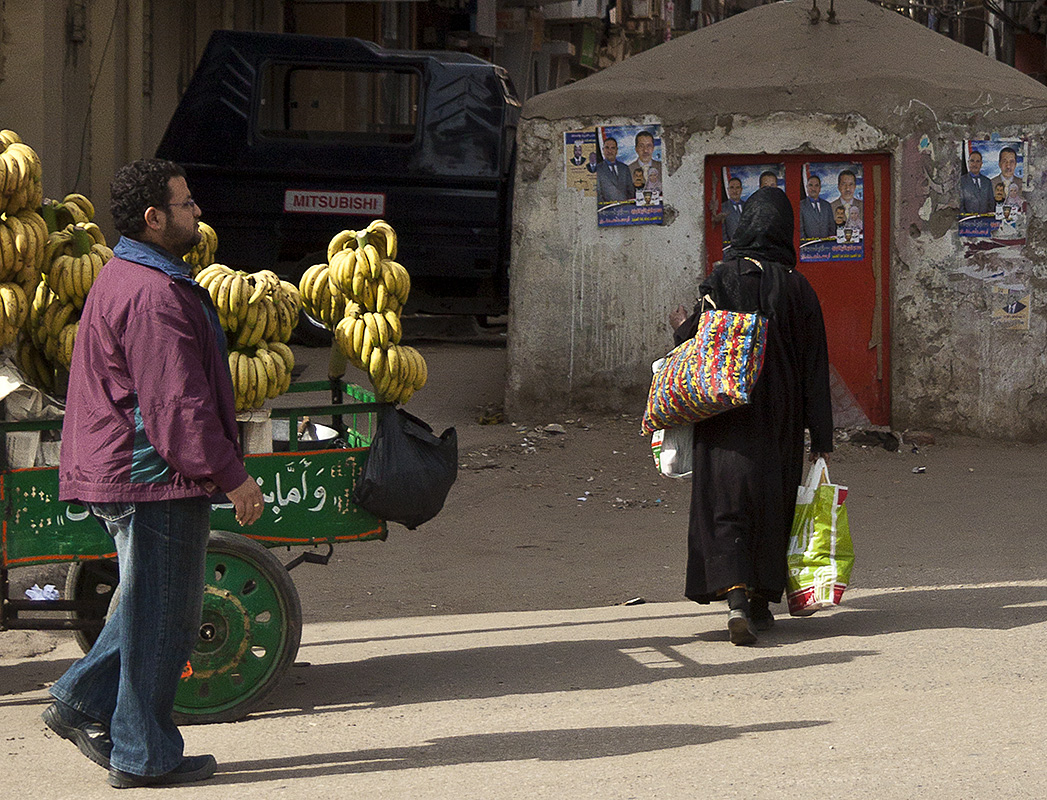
(250, 633)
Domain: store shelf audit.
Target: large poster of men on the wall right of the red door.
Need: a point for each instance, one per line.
(992, 189)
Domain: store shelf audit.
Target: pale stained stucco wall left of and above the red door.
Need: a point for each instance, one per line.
(590, 306)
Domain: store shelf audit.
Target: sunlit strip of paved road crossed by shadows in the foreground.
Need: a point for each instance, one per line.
(933, 693)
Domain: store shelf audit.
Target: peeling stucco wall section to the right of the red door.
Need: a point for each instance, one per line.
(954, 368)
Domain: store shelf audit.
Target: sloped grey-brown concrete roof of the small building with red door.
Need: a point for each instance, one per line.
(875, 63)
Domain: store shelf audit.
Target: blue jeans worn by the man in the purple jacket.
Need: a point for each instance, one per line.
(130, 677)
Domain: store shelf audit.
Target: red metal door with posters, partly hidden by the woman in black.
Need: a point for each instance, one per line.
(852, 281)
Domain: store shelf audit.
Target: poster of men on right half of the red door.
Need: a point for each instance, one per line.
(832, 225)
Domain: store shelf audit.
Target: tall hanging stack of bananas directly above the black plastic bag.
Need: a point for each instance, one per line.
(364, 268)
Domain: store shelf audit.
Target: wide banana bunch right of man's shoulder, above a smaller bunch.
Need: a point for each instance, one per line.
(253, 308)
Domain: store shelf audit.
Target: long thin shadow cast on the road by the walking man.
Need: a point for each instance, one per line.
(560, 745)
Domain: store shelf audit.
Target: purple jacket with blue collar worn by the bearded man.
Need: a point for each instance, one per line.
(150, 411)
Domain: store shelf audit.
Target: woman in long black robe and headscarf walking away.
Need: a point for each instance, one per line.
(749, 461)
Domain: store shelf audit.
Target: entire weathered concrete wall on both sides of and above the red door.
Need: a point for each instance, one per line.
(590, 305)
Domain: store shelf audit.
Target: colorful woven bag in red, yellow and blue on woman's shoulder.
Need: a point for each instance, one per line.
(709, 374)
